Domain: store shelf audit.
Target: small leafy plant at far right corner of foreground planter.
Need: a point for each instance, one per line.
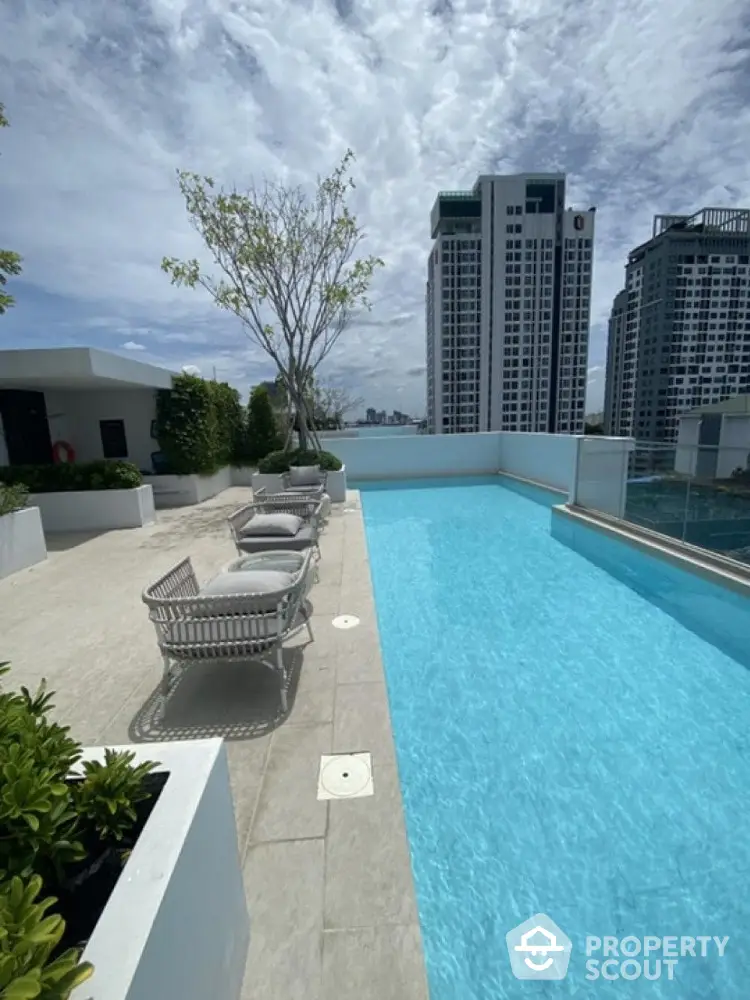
(110, 791)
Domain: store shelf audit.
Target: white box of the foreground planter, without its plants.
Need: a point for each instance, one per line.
(176, 925)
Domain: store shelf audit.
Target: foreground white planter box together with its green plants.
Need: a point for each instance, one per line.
(111, 841)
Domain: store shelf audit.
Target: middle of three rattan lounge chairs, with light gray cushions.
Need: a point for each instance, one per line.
(288, 525)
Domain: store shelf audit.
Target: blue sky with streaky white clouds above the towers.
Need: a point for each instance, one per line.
(644, 104)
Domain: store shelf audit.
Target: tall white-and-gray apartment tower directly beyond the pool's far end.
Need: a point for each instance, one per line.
(507, 310)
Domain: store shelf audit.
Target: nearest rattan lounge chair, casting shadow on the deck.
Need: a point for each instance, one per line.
(237, 616)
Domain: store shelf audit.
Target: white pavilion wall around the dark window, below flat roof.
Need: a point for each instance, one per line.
(74, 417)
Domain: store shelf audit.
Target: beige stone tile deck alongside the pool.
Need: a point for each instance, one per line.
(329, 887)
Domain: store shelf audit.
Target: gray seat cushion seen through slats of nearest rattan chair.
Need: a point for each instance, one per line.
(246, 635)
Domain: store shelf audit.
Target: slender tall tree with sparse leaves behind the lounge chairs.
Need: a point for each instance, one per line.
(287, 267)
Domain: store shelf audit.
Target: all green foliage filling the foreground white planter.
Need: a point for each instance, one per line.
(45, 818)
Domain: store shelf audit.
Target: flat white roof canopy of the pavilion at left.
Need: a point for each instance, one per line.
(77, 368)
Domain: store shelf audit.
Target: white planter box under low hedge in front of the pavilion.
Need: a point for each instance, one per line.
(94, 510)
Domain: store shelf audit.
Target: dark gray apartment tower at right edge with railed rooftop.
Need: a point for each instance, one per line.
(679, 333)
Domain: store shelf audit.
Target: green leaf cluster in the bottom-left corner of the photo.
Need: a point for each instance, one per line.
(28, 937)
